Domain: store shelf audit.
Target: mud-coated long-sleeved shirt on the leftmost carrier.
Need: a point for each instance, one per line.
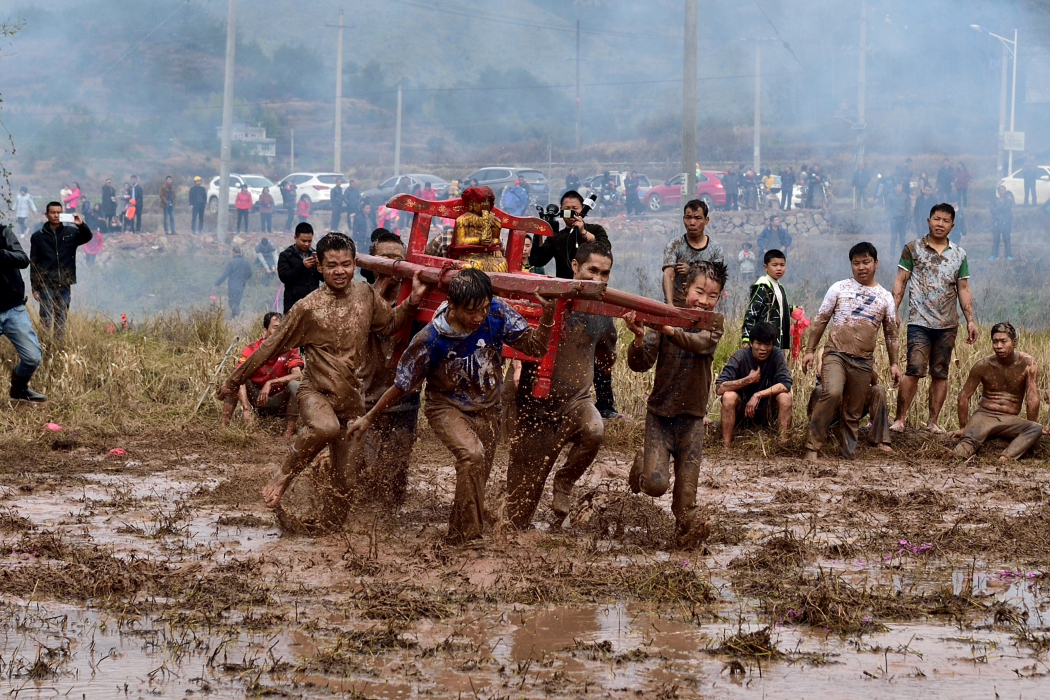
(333, 330)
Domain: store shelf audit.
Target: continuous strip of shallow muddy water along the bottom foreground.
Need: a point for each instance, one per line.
(53, 650)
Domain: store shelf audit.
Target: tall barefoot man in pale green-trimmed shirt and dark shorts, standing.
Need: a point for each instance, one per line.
(939, 273)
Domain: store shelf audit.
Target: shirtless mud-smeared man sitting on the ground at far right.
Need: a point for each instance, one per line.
(1007, 379)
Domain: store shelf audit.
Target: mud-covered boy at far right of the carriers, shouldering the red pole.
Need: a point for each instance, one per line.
(679, 402)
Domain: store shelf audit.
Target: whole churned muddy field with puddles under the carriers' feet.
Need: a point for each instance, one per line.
(159, 572)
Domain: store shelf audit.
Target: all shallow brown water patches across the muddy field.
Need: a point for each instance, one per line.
(623, 650)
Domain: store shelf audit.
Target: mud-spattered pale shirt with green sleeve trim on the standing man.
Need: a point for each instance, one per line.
(935, 283)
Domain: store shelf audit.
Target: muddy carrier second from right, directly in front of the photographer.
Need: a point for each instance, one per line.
(543, 428)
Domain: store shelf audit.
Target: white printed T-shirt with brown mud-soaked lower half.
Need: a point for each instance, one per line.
(856, 313)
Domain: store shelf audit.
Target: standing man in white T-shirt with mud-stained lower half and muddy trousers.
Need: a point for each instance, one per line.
(856, 309)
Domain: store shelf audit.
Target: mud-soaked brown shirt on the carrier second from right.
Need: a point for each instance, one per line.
(586, 341)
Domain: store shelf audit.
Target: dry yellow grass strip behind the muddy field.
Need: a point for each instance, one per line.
(104, 383)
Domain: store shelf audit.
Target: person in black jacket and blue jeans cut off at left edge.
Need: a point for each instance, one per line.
(15, 320)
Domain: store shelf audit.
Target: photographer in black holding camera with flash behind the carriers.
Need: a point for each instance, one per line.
(562, 248)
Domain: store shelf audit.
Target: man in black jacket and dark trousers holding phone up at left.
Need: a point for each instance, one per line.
(53, 256)
